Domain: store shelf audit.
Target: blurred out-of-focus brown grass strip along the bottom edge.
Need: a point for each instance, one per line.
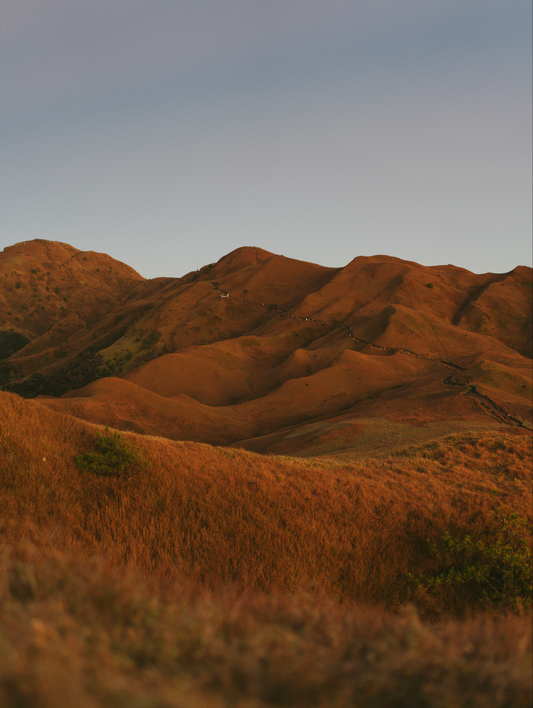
(79, 635)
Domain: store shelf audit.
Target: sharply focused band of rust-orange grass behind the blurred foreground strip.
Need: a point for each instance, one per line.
(262, 523)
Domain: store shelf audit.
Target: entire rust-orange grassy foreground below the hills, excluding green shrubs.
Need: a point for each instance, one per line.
(215, 577)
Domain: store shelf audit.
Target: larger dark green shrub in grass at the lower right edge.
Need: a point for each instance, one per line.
(492, 570)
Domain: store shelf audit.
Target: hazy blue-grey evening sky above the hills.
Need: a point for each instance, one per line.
(168, 133)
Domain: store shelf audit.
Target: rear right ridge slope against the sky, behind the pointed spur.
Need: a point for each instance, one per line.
(497, 305)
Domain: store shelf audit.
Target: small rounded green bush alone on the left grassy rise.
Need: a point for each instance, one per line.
(114, 456)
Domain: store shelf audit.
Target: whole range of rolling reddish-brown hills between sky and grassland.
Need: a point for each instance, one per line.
(271, 353)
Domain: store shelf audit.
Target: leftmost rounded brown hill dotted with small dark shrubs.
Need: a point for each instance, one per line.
(62, 301)
